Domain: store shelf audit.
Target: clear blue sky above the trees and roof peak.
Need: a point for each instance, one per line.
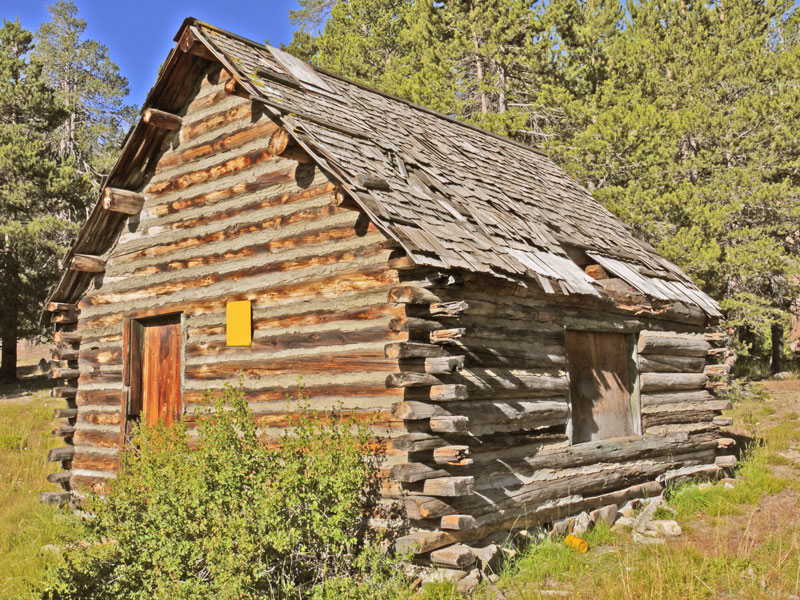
(139, 34)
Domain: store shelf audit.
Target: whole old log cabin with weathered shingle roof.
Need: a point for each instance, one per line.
(520, 353)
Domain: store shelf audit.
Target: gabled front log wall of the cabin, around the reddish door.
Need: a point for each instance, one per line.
(222, 219)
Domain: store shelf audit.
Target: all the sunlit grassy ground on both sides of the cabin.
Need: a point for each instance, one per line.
(729, 548)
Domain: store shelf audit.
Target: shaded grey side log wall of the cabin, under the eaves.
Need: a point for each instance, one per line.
(487, 442)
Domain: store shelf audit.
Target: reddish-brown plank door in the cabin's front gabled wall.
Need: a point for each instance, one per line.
(154, 369)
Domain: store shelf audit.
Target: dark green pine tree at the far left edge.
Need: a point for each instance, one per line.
(39, 198)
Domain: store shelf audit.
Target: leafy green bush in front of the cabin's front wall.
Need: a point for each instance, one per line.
(227, 516)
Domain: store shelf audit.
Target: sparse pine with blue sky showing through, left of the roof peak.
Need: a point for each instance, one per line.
(88, 86)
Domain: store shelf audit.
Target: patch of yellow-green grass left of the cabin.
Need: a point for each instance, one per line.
(25, 525)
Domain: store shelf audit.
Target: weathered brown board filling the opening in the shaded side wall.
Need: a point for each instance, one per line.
(601, 385)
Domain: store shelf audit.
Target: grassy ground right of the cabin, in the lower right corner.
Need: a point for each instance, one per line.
(731, 547)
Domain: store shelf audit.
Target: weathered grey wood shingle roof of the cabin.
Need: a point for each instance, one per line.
(451, 194)
